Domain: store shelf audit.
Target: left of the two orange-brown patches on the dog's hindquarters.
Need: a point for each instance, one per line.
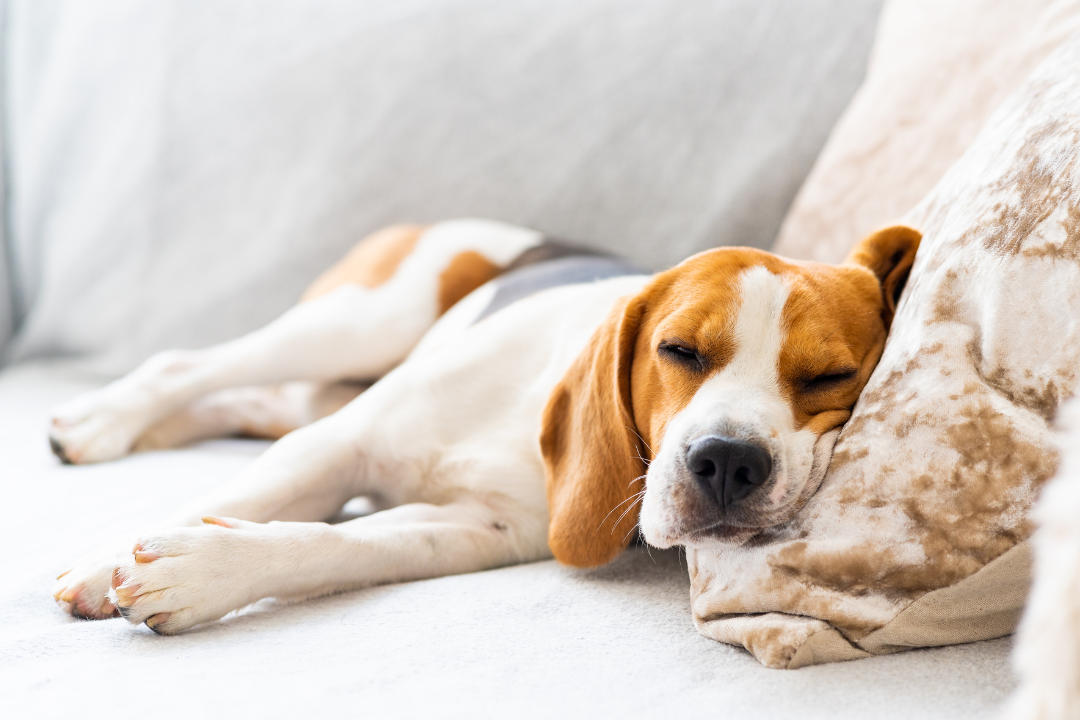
(371, 264)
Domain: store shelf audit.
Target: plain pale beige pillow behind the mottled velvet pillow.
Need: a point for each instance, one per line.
(937, 73)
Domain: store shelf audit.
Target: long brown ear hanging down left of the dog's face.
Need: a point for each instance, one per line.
(590, 447)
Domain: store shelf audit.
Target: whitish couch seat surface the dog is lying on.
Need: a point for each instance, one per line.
(537, 641)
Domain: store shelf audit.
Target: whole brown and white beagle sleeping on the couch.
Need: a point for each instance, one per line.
(532, 401)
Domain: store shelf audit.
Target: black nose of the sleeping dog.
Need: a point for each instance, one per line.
(728, 469)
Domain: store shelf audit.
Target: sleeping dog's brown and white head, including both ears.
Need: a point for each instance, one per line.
(714, 397)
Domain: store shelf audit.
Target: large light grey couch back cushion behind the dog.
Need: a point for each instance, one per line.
(183, 169)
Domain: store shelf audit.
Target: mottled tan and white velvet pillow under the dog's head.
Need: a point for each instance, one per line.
(916, 537)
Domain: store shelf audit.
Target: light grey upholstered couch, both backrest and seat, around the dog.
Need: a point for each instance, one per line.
(178, 171)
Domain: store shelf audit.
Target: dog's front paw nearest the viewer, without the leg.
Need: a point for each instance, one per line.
(180, 579)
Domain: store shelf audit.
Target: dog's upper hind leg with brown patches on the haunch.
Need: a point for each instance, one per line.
(357, 322)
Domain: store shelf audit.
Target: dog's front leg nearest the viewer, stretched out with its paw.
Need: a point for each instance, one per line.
(190, 576)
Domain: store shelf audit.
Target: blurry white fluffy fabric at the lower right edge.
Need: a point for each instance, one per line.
(1048, 645)
